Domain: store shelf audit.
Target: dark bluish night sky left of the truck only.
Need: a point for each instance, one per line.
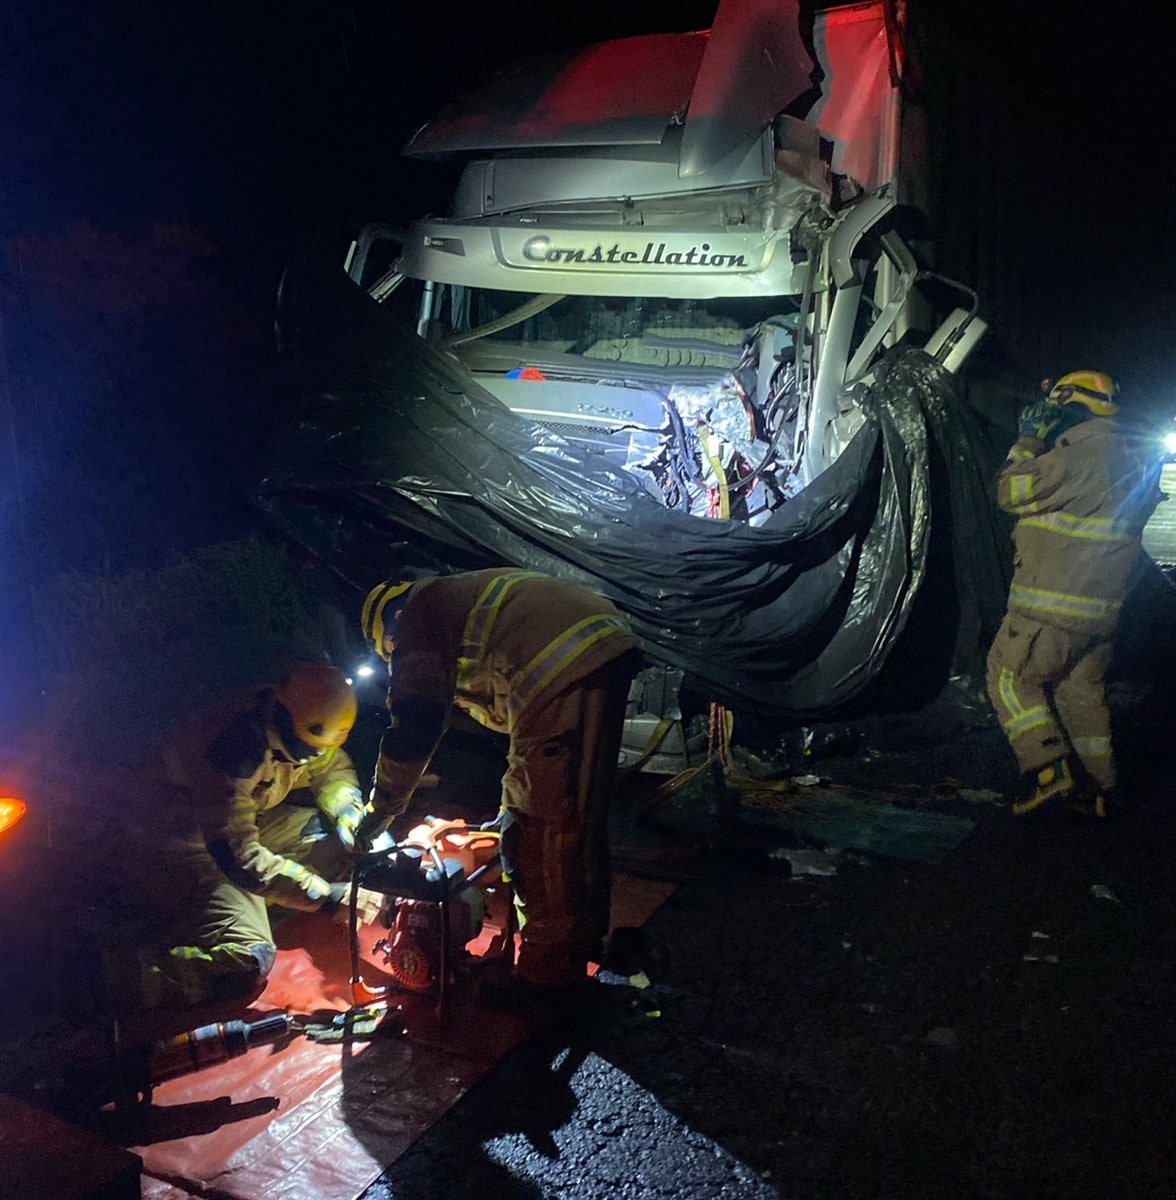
(160, 165)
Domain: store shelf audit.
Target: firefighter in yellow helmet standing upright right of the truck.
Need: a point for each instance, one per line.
(1081, 495)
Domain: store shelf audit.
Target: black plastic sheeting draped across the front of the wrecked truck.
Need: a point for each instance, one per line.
(397, 441)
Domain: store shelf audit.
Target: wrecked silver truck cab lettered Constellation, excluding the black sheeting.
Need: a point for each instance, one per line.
(650, 256)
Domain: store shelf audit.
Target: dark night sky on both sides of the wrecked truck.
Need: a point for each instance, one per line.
(161, 164)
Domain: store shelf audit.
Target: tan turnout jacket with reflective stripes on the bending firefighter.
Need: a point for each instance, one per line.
(496, 644)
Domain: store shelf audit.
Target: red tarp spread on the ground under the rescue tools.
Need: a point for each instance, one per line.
(302, 1120)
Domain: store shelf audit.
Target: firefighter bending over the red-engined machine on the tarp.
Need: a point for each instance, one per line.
(548, 663)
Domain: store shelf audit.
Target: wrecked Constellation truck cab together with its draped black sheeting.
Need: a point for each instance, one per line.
(665, 343)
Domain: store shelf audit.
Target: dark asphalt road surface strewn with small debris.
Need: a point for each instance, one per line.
(994, 1025)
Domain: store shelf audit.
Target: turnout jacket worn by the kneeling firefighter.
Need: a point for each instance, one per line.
(225, 771)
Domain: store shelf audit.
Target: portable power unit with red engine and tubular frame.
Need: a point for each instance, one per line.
(435, 886)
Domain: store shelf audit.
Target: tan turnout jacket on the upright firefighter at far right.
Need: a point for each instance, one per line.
(1081, 511)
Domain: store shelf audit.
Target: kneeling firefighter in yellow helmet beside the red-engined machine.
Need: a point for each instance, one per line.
(256, 802)
